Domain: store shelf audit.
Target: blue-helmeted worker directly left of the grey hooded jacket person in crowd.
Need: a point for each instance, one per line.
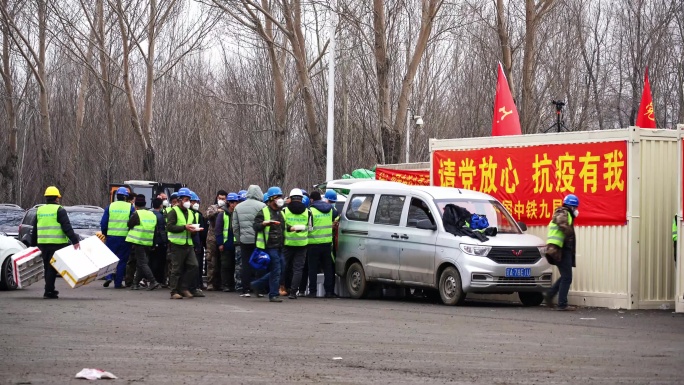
(225, 238)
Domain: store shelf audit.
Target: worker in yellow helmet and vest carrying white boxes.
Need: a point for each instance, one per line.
(51, 232)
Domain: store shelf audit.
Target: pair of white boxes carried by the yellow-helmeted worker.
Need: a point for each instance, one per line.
(80, 267)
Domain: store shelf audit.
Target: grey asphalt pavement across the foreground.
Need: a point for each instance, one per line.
(144, 337)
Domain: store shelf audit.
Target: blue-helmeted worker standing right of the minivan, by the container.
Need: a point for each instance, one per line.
(561, 249)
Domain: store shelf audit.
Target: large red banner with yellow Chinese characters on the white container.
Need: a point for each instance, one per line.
(532, 181)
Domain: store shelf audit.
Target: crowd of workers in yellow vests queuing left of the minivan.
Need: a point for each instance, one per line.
(165, 246)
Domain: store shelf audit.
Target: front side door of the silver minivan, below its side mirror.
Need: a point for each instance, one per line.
(417, 245)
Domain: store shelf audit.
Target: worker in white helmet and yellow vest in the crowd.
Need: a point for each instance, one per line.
(296, 217)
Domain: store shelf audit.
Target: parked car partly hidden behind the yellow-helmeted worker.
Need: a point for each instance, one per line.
(85, 220)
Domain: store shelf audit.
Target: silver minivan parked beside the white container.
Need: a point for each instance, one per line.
(391, 233)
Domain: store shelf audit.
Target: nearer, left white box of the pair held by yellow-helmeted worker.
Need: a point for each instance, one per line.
(74, 266)
